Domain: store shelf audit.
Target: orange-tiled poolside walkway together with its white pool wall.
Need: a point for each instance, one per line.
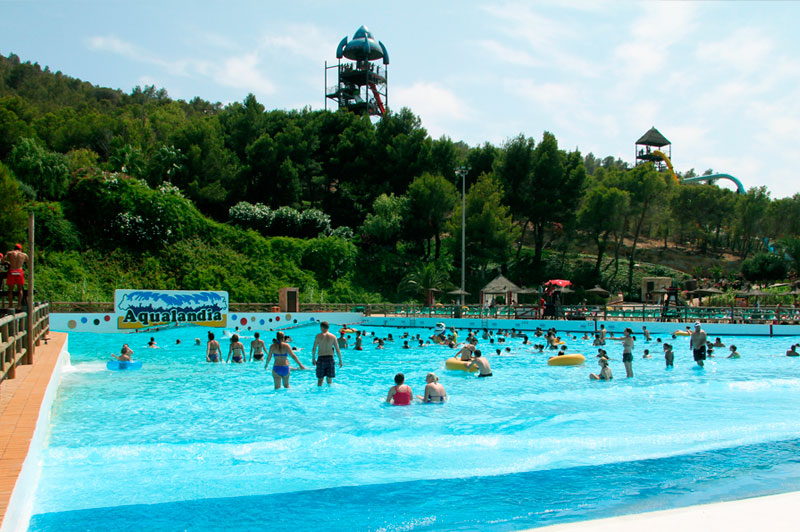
(27, 418)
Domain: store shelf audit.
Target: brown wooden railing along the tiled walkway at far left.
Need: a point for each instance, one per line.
(16, 346)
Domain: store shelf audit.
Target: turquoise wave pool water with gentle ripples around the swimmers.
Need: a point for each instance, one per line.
(185, 445)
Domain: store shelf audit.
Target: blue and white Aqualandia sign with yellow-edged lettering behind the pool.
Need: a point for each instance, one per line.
(146, 308)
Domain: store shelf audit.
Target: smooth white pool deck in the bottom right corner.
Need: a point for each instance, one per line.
(775, 513)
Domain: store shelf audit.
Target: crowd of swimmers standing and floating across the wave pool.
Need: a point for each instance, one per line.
(327, 346)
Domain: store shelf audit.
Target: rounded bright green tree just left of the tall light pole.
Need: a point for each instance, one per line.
(431, 199)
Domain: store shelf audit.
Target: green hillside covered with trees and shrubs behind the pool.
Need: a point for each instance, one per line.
(140, 190)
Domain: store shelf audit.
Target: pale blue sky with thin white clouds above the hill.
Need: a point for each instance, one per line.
(720, 80)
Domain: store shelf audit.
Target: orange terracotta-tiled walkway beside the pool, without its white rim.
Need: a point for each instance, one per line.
(20, 402)
